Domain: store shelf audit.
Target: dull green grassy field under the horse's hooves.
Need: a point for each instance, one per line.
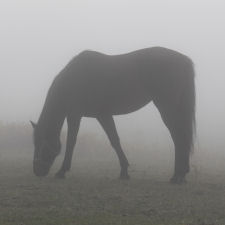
(91, 194)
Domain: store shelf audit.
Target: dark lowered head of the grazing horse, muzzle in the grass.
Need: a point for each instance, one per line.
(45, 152)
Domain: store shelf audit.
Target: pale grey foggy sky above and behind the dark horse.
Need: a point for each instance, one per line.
(39, 37)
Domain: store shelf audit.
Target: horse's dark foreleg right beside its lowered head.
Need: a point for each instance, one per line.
(73, 123)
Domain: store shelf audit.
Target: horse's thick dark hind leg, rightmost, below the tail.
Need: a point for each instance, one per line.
(176, 126)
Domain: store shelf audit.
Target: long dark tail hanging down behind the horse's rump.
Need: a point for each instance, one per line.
(187, 106)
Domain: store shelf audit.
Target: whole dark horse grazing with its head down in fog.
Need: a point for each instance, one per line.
(101, 86)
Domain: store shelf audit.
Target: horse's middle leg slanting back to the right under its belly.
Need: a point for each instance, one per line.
(109, 127)
